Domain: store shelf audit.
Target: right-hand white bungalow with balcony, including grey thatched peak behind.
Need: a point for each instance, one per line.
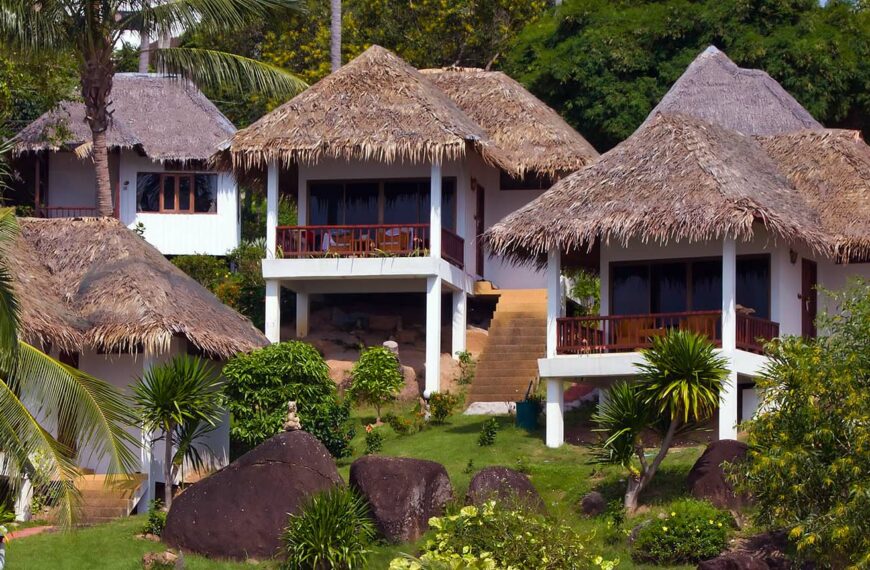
(721, 214)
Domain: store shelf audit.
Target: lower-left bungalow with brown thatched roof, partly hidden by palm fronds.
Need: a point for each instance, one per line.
(99, 298)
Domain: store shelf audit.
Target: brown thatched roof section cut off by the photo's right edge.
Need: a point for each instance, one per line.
(831, 170)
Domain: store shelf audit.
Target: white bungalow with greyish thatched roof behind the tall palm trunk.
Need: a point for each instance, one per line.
(163, 131)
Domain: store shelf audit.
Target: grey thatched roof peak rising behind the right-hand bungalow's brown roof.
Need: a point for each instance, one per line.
(714, 89)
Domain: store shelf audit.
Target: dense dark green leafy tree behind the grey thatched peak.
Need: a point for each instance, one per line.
(605, 64)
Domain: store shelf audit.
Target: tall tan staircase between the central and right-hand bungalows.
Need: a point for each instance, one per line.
(517, 339)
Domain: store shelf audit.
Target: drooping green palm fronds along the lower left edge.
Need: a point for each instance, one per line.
(35, 387)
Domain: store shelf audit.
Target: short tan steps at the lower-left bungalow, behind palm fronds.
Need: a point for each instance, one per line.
(104, 500)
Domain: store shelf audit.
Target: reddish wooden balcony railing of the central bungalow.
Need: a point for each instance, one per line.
(374, 240)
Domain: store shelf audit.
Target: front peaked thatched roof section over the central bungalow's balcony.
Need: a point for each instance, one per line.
(377, 107)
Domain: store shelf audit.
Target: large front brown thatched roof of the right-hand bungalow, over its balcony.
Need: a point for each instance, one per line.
(677, 177)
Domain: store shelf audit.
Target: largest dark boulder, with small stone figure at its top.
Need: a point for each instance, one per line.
(240, 511)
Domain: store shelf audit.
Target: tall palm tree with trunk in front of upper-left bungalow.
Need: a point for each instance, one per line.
(92, 28)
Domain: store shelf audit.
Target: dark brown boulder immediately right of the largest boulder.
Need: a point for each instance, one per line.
(403, 494)
